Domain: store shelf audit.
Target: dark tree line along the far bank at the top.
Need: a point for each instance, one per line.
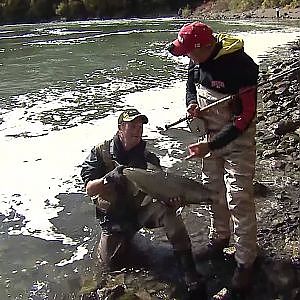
(20, 11)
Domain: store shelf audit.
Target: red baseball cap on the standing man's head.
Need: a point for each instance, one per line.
(191, 36)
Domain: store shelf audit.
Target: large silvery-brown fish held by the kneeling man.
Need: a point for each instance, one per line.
(163, 185)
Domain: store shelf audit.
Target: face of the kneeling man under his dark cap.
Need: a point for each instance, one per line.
(131, 132)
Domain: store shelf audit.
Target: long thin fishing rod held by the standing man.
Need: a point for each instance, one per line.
(230, 97)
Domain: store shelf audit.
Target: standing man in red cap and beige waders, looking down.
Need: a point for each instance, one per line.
(219, 67)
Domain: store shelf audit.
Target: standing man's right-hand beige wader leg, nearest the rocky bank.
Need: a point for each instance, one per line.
(240, 167)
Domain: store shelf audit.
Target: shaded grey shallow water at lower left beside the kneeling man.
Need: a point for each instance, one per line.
(38, 268)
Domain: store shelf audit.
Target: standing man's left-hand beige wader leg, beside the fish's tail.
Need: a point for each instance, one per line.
(213, 179)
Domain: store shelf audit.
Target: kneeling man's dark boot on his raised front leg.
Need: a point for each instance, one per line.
(193, 282)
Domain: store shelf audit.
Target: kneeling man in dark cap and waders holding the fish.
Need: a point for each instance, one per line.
(119, 210)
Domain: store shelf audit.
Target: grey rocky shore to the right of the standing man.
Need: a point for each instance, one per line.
(278, 153)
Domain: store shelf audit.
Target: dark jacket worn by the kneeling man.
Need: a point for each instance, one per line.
(123, 214)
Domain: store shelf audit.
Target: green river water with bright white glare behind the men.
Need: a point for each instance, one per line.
(62, 87)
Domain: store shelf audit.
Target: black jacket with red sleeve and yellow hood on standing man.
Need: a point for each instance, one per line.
(229, 70)
